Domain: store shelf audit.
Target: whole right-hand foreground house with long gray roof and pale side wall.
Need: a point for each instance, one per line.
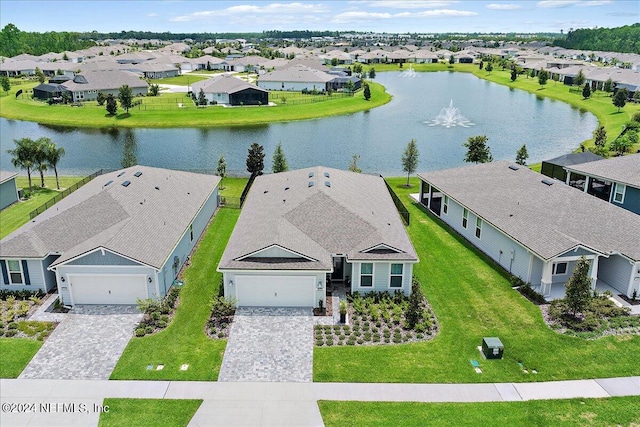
(537, 228)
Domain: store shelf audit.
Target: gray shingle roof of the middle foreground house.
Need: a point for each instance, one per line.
(354, 214)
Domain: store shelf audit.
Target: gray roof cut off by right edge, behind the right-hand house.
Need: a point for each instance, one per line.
(625, 169)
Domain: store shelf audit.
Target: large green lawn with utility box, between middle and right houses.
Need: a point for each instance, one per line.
(472, 298)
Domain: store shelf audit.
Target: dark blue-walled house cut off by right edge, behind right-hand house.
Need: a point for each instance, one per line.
(615, 180)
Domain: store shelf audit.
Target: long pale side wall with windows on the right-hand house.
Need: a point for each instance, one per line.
(509, 254)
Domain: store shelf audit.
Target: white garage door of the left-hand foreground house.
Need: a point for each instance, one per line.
(107, 289)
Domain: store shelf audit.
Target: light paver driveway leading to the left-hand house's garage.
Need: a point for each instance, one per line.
(86, 344)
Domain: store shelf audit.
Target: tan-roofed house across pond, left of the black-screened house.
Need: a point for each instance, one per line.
(85, 87)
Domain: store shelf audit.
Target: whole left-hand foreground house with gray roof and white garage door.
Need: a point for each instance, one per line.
(121, 237)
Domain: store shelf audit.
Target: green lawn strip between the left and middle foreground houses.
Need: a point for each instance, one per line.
(184, 341)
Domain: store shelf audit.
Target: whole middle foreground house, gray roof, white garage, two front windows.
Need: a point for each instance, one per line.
(300, 229)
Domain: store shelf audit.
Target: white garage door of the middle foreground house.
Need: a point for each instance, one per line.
(275, 291)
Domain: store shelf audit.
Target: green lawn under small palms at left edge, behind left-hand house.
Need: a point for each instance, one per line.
(17, 215)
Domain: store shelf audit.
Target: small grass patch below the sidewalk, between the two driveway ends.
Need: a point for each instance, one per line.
(148, 412)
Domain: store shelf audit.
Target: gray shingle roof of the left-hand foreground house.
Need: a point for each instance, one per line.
(138, 221)
